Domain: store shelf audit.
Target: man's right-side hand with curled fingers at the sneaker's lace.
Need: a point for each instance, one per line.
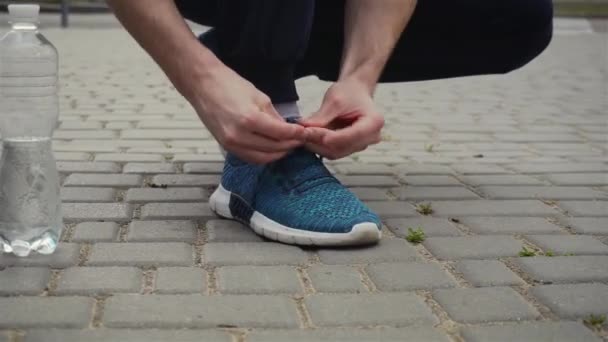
(347, 121)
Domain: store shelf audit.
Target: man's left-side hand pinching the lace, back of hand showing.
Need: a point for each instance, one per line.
(242, 118)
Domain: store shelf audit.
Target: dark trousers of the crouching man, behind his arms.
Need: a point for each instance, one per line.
(273, 42)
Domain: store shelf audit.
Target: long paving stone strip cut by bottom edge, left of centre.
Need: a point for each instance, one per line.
(108, 335)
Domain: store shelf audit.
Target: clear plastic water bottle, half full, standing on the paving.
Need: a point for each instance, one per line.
(30, 204)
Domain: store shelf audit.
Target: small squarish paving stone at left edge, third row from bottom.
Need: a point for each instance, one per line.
(23, 280)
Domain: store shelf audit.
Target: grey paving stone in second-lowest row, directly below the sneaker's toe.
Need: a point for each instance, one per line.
(394, 309)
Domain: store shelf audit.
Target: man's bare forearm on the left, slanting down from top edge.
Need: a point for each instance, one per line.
(160, 29)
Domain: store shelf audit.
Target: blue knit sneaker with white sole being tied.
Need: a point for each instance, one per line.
(295, 200)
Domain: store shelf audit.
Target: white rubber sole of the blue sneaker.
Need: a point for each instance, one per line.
(361, 234)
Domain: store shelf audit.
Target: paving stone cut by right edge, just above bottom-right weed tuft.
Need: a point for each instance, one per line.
(574, 301)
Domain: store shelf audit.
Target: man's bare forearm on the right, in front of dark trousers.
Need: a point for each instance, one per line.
(372, 28)
